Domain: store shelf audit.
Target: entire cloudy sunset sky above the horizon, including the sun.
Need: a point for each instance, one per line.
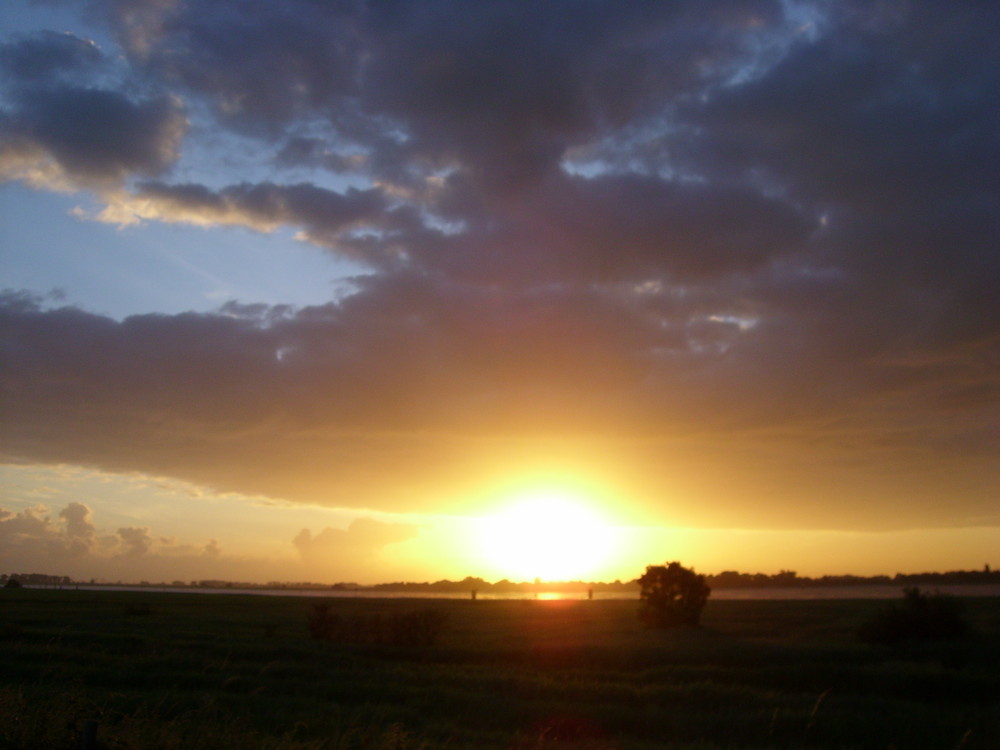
(374, 291)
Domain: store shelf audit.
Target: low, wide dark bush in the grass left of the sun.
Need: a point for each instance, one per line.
(411, 629)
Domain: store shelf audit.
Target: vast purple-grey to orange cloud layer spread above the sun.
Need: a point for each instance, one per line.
(747, 248)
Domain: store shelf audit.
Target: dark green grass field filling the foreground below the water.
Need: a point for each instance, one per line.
(159, 670)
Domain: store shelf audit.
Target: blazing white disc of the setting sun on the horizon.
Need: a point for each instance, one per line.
(548, 535)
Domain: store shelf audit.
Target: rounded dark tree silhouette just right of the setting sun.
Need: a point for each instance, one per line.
(672, 595)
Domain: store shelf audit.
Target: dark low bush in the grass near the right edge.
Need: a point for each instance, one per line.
(920, 617)
